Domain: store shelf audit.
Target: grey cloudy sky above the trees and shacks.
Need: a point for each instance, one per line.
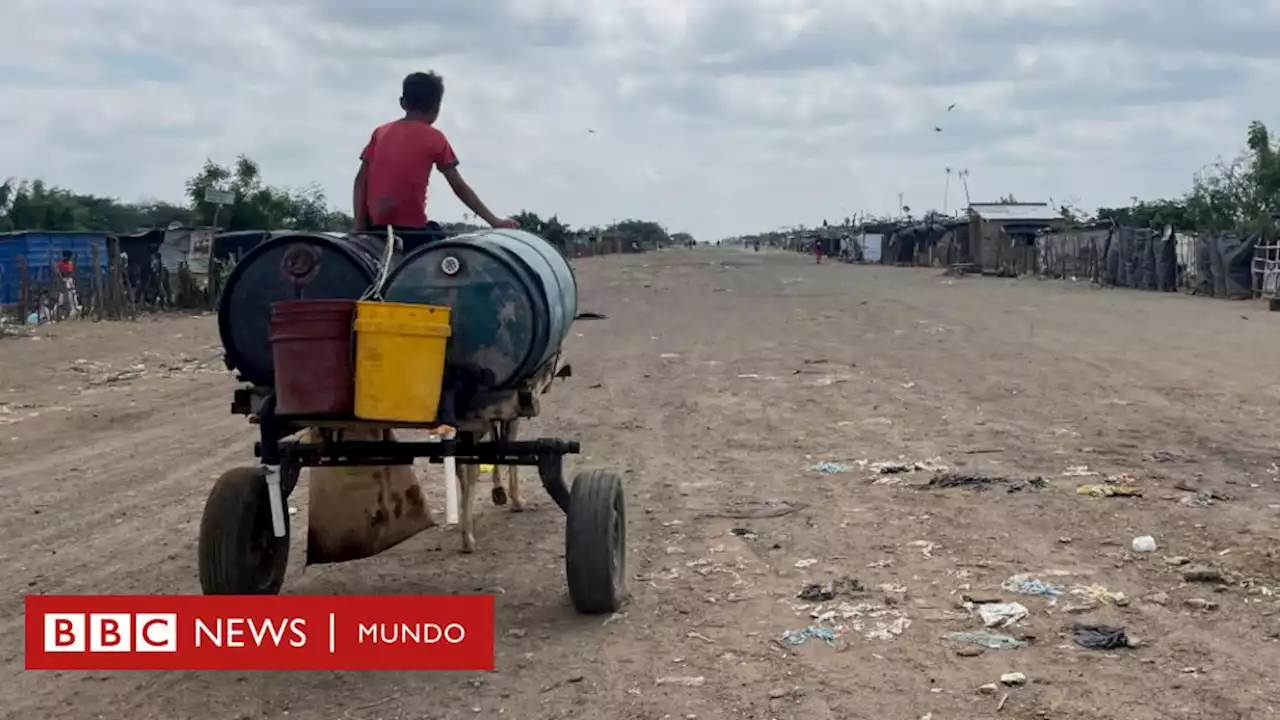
(717, 117)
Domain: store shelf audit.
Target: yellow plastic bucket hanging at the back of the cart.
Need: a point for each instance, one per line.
(400, 361)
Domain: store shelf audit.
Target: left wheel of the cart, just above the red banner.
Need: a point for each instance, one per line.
(239, 553)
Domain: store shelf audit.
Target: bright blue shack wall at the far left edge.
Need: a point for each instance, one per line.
(39, 252)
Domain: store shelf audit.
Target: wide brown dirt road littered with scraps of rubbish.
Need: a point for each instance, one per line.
(719, 380)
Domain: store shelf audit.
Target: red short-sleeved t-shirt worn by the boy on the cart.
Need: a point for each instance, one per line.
(401, 156)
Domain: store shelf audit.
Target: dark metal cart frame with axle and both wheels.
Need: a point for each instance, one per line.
(245, 534)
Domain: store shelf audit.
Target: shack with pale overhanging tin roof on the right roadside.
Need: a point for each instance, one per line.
(1003, 235)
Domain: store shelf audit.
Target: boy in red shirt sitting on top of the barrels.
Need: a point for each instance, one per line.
(396, 166)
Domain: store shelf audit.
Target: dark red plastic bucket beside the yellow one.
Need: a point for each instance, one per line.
(312, 353)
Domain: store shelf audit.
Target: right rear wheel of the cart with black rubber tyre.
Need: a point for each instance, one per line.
(596, 544)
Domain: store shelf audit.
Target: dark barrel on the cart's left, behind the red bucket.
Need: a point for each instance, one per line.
(290, 266)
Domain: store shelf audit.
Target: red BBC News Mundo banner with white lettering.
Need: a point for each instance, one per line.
(259, 634)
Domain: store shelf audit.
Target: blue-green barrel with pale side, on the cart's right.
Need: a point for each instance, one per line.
(513, 297)
